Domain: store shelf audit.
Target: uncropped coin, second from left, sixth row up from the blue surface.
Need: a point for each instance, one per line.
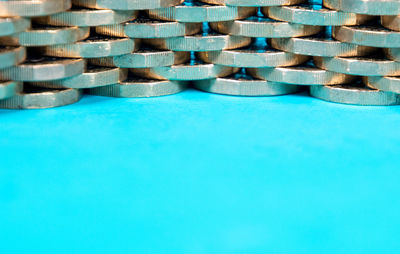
(87, 17)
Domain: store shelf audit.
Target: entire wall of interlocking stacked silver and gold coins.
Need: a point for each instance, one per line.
(52, 51)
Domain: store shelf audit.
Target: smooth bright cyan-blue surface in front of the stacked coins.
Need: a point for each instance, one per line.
(200, 173)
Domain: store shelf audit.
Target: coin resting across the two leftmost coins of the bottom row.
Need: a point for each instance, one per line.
(94, 76)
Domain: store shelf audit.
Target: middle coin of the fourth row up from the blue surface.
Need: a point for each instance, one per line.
(200, 42)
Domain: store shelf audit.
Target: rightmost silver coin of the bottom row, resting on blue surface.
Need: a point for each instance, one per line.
(356, 95)
